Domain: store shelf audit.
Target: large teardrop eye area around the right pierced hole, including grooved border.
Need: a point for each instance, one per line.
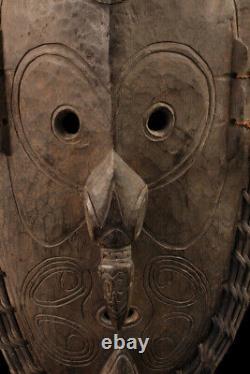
(165, 107)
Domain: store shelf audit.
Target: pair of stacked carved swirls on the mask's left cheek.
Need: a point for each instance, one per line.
(48, 293)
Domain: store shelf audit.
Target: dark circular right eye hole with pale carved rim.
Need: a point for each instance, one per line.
(159, 121)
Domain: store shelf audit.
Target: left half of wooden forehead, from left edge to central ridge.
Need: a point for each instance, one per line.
(47, 22)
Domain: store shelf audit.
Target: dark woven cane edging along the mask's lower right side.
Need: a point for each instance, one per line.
(235, 300)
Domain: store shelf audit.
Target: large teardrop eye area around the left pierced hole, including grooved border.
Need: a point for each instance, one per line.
(56, 100)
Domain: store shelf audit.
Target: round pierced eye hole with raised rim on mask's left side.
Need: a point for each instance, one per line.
(62, 129)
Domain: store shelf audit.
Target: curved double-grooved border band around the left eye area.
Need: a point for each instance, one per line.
(75, 61)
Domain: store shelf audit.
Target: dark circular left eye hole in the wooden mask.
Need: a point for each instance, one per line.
(66, 124)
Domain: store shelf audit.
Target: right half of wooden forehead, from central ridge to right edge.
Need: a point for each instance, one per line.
(200, 27)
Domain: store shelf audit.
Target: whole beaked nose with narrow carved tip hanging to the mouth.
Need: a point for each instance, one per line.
(115, 205)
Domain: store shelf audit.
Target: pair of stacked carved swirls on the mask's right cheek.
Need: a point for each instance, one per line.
(174, 284)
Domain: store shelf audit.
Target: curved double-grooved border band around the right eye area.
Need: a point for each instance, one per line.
(201, 65)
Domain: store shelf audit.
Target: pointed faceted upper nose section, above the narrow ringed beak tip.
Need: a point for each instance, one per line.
(115, 203)
